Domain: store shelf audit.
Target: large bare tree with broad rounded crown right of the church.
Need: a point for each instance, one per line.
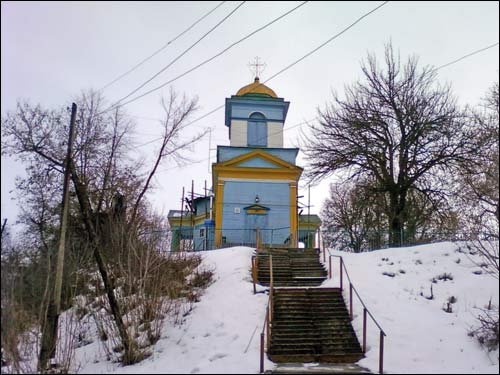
(398, 126)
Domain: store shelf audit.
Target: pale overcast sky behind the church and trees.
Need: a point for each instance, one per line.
(53, 50)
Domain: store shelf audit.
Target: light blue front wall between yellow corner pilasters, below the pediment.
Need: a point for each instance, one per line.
(274, 224)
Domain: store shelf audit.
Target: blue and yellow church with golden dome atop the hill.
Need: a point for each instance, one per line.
(254, 183)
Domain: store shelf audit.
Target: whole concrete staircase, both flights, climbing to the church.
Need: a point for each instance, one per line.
(309, 324)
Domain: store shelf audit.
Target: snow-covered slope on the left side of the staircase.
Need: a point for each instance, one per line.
(221, 335)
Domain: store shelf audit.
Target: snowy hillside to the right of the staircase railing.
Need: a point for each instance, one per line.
(421, 336)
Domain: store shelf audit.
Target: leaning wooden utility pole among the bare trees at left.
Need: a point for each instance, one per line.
(49, 335)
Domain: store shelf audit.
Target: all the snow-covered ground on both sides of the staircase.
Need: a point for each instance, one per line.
(222, 333)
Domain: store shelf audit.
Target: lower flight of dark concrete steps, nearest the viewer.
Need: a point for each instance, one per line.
(312, 325)
